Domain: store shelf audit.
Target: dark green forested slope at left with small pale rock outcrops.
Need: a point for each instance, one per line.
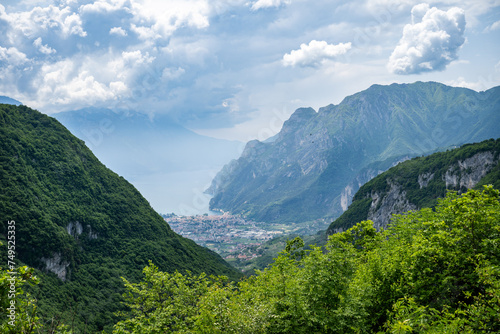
(81, 224)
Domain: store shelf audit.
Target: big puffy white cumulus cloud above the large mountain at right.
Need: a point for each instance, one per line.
(430, 42)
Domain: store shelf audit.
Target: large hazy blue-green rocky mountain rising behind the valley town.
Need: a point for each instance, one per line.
(319, 159)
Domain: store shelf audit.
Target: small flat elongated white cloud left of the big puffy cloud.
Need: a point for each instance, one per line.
(314, 53)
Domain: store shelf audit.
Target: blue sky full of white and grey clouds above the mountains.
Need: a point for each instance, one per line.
(237, 68)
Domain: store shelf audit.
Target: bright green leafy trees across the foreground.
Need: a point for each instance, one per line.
(430, 271)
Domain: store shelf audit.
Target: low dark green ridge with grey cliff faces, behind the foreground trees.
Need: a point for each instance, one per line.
(419, 182)
